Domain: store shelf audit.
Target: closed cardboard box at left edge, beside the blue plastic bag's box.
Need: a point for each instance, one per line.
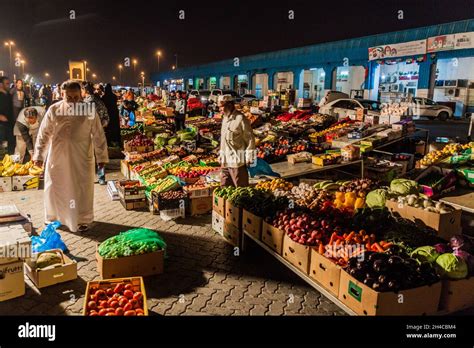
(12, 280)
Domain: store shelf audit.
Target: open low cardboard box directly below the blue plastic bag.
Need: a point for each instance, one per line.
(54, 274)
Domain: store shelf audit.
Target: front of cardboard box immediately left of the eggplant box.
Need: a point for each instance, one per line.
(325, 271)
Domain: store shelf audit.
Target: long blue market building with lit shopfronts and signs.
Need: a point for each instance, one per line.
(436, 62)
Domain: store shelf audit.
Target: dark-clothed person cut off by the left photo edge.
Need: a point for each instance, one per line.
(7, 120)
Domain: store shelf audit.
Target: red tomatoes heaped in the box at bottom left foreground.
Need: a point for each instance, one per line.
(119, 301)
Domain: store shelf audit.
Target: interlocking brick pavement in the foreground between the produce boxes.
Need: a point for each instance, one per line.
(202, 276)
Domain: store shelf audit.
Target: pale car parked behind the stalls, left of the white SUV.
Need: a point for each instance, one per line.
(347, 107)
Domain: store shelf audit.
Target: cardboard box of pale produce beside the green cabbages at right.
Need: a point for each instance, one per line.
(447, 225)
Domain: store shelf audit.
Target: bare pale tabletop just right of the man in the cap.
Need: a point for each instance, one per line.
(288, 170)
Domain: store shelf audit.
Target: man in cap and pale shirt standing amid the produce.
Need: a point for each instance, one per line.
(237, 149)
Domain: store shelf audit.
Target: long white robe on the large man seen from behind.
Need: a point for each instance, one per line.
(68, 144)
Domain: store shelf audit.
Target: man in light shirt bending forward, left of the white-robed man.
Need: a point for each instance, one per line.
(26, 130)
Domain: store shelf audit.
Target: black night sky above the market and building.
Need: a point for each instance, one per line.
(104, 32)
